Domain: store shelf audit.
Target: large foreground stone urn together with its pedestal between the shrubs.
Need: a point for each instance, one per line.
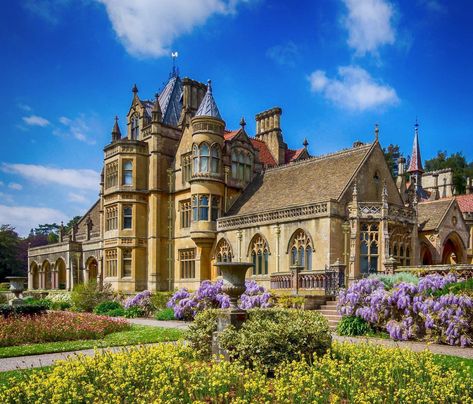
(233, 274)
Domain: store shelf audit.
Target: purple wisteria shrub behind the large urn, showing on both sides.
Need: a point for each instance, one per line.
(210, 296)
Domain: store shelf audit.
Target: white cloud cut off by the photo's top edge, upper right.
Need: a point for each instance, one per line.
(369, 24)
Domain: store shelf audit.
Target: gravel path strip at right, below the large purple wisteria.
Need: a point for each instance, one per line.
(414, 346)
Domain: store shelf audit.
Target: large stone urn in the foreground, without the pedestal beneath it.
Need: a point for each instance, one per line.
(233, 274)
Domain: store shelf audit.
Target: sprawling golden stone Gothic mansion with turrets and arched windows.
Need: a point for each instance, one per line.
(180, 191)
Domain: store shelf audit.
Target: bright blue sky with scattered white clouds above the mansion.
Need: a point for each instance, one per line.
(336, 67)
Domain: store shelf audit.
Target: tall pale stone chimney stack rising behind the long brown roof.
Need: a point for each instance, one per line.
(268, 130)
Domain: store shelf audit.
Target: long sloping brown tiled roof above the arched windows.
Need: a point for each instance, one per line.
(312, 180)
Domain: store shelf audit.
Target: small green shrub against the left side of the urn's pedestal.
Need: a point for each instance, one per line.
(200, 332)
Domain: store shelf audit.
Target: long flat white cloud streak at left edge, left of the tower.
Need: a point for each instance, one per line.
(80, 179)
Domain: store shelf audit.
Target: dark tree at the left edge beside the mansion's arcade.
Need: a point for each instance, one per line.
(9, 249)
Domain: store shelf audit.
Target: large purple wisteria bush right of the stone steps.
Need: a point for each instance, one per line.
(410, 311)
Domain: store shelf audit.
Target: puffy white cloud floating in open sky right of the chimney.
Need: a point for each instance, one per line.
(354, 89)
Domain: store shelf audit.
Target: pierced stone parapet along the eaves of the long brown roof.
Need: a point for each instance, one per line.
(283, 215)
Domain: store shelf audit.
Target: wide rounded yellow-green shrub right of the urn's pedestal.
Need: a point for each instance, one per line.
(272, 336)
